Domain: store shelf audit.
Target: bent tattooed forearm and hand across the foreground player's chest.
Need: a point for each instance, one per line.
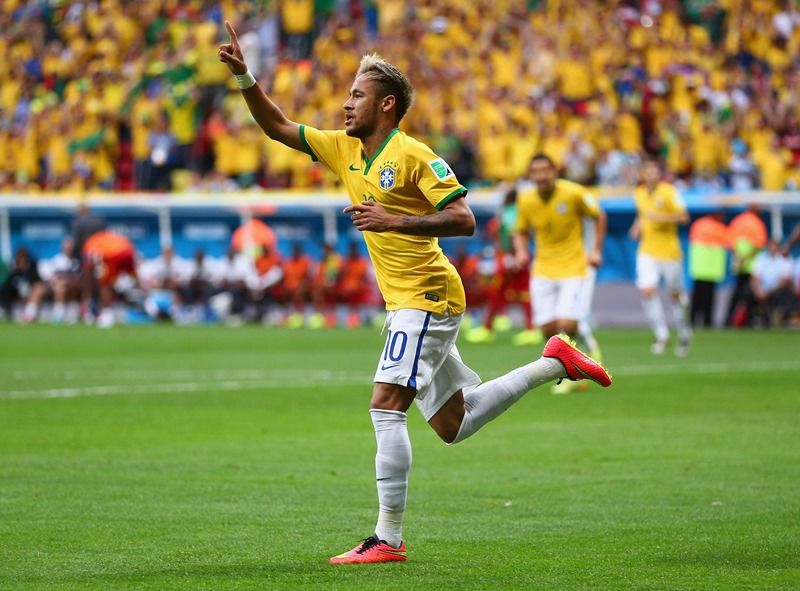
(455, 219)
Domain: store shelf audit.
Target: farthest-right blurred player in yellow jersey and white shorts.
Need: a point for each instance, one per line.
(659, 212)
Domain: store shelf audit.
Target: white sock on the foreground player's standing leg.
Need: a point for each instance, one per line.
(392, 465)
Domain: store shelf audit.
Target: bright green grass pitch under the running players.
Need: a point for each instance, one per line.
(216, 458)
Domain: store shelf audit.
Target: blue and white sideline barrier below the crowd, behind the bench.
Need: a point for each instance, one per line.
(191, 221)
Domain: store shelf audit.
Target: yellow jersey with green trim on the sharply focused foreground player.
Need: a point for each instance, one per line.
(406, 178)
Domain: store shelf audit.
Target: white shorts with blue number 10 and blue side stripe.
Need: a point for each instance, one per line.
(420, 353)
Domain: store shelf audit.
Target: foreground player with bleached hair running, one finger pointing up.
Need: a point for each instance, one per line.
(403, 196)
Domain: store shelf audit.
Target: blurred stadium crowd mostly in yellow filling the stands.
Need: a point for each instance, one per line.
(105, 94)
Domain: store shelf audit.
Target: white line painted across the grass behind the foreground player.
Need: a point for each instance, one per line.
(179, 381)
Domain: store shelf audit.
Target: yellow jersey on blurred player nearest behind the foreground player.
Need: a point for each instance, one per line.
(558, 228)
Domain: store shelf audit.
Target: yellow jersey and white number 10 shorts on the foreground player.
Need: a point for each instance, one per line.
(424, 295)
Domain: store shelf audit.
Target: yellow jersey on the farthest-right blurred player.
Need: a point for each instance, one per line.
(659, 239)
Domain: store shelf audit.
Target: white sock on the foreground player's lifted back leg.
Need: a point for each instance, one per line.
(490, 399)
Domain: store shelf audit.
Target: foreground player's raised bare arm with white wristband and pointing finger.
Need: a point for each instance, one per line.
(266, 113)
